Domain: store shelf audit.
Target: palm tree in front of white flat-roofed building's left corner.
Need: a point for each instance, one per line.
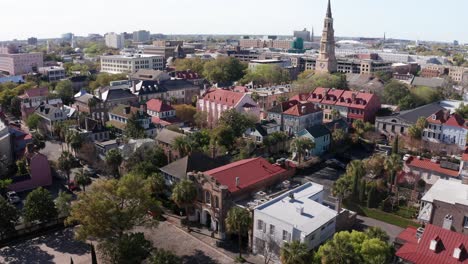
(238, 221)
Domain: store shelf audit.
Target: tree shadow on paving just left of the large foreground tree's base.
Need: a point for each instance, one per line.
(63, 241)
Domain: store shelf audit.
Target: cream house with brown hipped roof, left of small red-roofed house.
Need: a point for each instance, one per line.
(119, 115)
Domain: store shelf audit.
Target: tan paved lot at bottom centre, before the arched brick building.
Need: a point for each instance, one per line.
(192, 250)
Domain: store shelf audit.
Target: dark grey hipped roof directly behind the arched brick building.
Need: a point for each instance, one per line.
(194, 162)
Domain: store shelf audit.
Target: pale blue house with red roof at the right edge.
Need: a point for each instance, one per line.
(446, 128)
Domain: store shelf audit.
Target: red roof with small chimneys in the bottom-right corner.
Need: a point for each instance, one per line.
(420, 253)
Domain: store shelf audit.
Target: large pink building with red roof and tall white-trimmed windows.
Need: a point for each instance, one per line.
(216, 101)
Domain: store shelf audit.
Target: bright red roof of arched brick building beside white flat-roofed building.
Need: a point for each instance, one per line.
(249, 171)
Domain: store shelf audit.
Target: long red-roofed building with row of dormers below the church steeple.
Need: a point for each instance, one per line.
(351, 105)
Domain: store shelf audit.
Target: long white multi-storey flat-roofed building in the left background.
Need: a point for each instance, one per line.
(131, 63)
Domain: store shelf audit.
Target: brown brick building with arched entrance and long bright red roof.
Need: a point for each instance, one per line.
(220, 188)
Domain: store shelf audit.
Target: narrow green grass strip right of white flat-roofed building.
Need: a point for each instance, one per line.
(380, 215)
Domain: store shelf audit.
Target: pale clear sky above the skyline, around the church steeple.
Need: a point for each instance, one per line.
(411, 19)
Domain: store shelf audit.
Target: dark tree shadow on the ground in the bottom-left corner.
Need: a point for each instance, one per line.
(26, 253)
